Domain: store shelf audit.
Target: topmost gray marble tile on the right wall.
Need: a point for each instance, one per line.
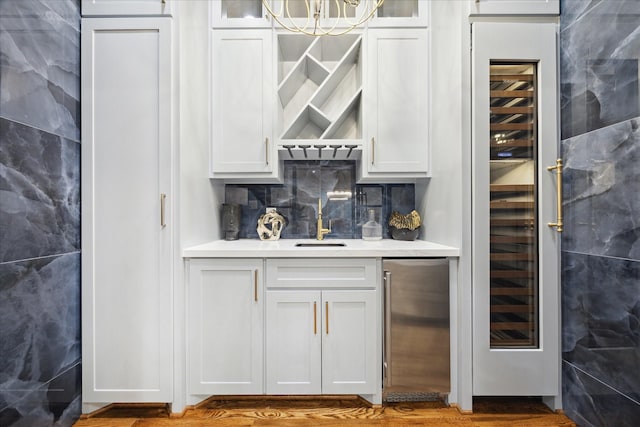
(599, 52)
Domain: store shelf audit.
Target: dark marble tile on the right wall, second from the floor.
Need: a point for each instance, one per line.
(601, 319)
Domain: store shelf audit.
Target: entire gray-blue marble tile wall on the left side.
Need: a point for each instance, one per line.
(40, 356)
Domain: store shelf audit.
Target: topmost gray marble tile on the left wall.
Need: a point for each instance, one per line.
(40, 64)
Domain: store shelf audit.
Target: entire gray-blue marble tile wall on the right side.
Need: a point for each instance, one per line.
(599, 54)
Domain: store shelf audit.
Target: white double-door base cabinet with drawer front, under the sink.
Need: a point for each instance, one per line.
(322, 327)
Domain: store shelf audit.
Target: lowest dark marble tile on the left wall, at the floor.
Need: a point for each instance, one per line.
(55, 404)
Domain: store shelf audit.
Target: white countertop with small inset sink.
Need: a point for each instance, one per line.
(286, 248)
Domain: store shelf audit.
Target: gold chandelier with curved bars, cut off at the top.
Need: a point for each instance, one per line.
(321, 17)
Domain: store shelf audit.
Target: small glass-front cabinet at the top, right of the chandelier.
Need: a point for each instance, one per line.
(401, 13)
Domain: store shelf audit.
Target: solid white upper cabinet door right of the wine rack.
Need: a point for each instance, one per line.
(397, 104)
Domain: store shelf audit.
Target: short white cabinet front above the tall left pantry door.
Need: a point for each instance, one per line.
(126, 7)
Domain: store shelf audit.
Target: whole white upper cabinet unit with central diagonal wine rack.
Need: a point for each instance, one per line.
(277, 95)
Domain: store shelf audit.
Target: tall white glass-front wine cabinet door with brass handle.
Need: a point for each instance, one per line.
(516, 321)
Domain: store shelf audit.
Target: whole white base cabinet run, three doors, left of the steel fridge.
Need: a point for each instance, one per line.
(315, 330)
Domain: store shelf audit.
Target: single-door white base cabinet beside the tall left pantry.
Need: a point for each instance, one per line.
(225, 326)
